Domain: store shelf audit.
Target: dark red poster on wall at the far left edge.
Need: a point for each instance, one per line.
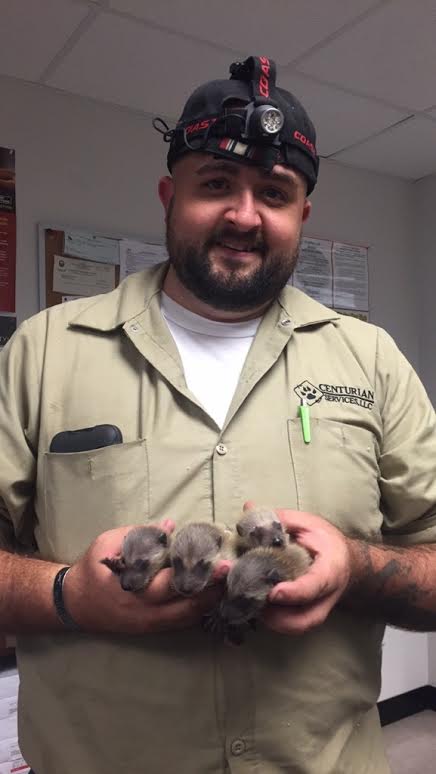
(8, 237)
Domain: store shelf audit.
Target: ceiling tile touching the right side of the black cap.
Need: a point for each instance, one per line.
(341, 119)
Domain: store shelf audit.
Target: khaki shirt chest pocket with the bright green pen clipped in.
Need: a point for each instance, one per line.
(337, 474)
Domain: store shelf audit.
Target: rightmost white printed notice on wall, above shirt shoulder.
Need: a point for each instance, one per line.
(350, 267)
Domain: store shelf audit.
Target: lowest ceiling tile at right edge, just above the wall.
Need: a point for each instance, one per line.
(404, 151)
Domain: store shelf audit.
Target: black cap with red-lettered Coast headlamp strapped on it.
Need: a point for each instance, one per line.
(247, 118)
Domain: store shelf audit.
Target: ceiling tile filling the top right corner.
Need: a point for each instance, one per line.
(390, 54)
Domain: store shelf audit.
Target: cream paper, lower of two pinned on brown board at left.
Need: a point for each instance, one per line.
(75, 277)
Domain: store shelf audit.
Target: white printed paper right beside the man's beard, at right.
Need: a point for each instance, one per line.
(314, 270)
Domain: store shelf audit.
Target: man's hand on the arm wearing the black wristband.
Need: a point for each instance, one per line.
(95, 600)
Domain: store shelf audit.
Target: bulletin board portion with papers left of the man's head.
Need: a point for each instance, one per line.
(76, 263)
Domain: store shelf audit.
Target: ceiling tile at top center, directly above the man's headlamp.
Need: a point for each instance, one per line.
(282, 29)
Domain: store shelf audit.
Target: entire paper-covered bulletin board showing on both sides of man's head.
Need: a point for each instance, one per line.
(74, 263)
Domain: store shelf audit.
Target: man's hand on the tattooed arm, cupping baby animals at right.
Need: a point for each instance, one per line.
(300, 605)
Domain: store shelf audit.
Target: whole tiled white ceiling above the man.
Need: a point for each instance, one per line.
(364, 69)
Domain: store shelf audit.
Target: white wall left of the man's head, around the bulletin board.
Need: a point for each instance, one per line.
(78, 162)
